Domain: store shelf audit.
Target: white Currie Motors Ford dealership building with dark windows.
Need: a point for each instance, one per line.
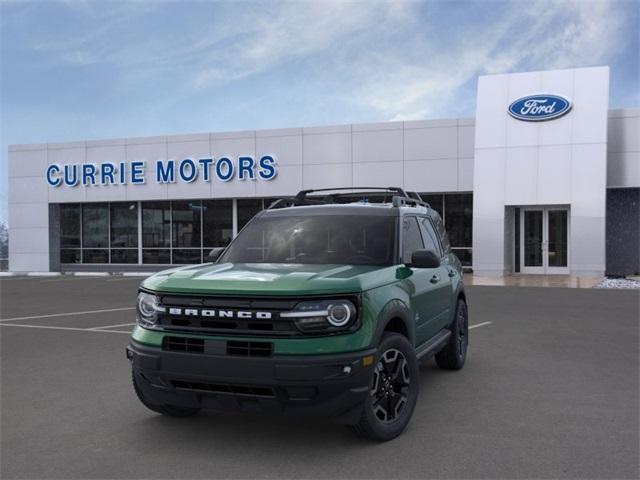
(544, 180)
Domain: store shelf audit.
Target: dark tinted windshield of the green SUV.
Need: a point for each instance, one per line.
(316, 239)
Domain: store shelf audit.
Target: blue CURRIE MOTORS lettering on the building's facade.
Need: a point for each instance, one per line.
(188, 170)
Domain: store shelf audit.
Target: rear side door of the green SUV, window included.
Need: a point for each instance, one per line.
(440, 301)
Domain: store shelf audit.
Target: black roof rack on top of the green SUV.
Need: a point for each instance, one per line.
(399, 196)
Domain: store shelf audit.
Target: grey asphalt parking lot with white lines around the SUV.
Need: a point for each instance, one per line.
(550, 390)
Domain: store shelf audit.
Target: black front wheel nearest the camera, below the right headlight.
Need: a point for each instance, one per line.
(393, 392)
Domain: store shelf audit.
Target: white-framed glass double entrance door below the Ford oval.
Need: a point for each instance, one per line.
(544, 240)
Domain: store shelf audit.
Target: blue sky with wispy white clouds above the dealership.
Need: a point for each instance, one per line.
(75, 70)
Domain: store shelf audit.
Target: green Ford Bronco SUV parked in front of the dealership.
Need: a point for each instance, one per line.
(322, 305)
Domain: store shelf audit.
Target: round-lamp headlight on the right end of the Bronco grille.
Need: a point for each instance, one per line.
(323, 316)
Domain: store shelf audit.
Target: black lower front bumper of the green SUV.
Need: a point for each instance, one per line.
(318, 385)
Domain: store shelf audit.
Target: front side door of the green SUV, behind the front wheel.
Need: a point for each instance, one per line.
(421, 285)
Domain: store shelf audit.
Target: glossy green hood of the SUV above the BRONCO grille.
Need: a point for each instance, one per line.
(270, 279)
